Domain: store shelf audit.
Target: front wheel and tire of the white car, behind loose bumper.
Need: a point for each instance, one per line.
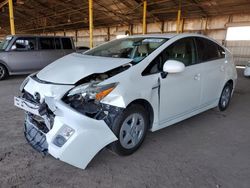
(130, 127)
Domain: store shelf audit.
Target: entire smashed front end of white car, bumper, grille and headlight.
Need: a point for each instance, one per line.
(70, 123)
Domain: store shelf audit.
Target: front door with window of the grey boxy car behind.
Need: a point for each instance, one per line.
(23, 55)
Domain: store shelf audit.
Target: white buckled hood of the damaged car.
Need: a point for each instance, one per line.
(73, 67)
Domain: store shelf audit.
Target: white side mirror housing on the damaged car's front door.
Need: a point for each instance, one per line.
(173, 66)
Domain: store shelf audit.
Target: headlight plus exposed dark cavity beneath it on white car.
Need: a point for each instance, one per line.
(86, 100)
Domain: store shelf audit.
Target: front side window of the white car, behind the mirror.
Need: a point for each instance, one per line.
(182, 50)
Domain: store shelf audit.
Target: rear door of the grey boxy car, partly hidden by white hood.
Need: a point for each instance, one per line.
(50, 49)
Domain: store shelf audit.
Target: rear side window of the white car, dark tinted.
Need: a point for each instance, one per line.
(208, 50)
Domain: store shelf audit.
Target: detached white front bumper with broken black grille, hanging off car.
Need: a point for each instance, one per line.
(88, 137)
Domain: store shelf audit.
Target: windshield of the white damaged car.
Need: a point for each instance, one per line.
(133, 48)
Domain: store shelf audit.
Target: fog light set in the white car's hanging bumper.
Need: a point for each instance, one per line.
(63, 135)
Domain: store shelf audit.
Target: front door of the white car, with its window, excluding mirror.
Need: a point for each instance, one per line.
(180, 93)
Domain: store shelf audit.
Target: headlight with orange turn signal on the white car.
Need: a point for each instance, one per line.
(93, 90)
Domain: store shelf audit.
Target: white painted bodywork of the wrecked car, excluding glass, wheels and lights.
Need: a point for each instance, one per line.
(182, 95)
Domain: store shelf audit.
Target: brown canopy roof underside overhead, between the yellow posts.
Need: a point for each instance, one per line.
(33, 16)
